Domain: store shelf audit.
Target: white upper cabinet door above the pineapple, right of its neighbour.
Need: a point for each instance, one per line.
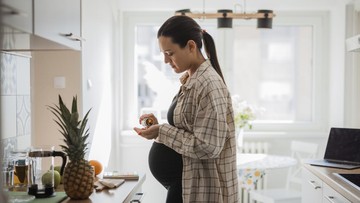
(58, 21)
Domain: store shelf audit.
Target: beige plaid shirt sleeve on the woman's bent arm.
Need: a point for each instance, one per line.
(210, 129)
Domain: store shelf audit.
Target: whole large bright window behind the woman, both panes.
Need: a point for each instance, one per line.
(274, 69)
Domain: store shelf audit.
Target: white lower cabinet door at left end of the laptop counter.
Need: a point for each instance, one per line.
(311, 188)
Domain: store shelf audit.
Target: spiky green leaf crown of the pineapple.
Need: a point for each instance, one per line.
(73, 130)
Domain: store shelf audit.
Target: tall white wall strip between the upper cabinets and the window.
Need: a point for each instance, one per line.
(97, 68)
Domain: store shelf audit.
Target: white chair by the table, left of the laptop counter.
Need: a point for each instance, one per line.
(292, 192)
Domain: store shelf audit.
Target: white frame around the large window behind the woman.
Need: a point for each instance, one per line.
(319, 20)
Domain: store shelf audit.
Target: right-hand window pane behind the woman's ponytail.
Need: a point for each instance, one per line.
(274, 70)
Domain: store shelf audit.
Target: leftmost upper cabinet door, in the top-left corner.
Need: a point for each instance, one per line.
(17, 14)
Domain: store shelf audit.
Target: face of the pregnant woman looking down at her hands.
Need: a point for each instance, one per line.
(178, 58)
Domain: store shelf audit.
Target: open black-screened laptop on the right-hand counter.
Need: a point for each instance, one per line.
(342, 149)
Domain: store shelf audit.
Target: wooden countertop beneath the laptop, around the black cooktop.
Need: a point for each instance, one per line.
(327, 176)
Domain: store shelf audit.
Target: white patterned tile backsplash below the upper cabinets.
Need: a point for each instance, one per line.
(15, 102)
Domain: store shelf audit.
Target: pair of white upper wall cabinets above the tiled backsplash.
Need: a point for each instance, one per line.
(31, 25)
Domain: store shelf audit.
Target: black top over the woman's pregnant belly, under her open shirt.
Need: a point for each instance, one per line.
(165, 164)
